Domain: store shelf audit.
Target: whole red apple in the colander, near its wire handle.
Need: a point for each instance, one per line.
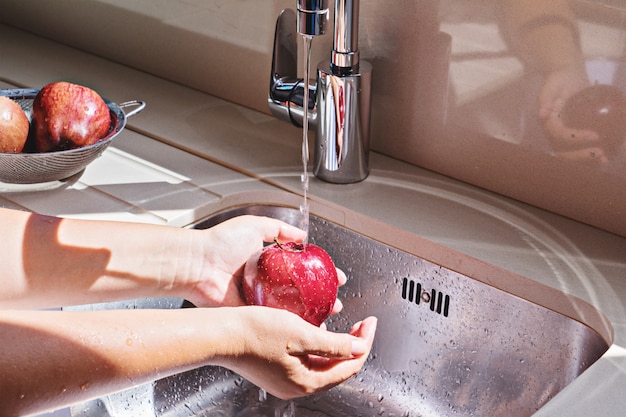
(67, 116)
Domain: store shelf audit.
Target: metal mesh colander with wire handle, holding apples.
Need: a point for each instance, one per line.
(34, 168)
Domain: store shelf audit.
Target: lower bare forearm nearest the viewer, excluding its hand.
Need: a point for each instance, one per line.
(58, 358)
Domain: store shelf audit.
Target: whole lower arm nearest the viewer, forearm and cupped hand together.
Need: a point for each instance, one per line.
(51, 359)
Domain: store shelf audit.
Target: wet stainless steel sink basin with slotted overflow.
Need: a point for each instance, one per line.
(447, 344)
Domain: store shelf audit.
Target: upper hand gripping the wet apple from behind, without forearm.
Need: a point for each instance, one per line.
(227, 247)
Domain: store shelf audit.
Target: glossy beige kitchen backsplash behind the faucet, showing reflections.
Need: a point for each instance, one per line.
(478, 90)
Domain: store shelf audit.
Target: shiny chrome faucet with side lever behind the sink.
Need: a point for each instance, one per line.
(339, 101)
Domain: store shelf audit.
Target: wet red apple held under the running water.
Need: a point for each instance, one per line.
(301, 279)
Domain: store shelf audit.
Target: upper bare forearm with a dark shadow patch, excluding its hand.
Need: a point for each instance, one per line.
(49, 261)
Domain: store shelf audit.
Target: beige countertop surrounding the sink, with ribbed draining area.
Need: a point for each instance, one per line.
(188, 155)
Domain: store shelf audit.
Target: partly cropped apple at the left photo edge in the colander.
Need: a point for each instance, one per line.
(13, 126)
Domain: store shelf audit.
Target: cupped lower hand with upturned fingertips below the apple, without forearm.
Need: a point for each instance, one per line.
(289, 357)
